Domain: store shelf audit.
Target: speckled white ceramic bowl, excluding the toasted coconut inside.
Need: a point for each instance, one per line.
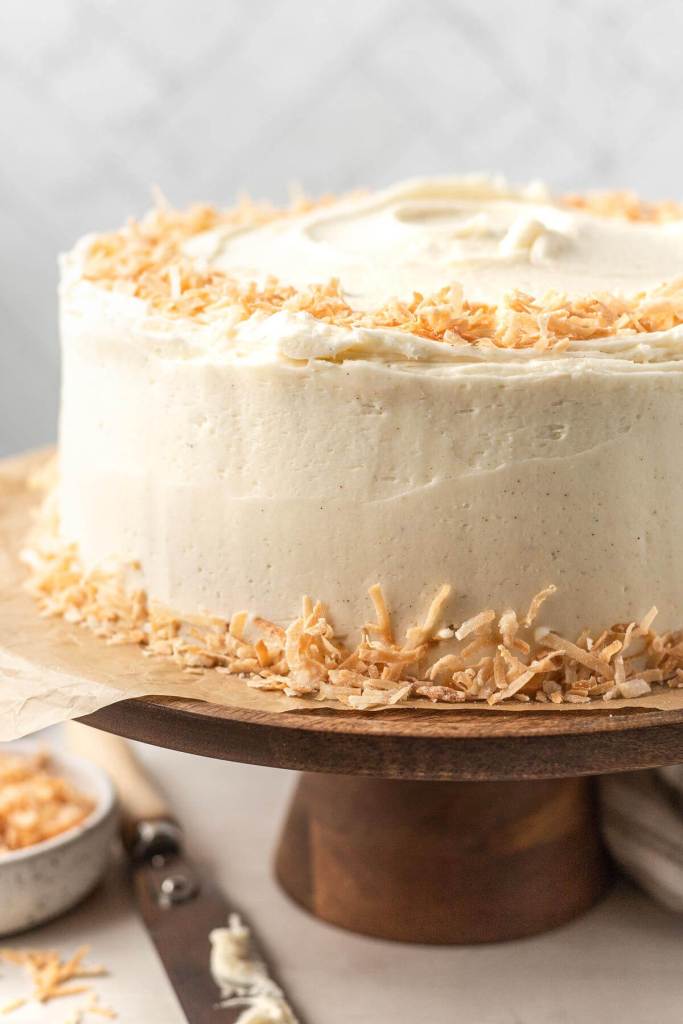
(42, 881)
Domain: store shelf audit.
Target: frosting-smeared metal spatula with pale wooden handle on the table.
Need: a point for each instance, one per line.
(179, 907)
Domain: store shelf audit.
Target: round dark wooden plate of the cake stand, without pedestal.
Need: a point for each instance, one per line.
(407, 744)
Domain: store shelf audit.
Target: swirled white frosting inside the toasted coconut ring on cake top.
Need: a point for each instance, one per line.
(426, 234)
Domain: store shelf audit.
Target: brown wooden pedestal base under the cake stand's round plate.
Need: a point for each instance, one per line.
(443, 863)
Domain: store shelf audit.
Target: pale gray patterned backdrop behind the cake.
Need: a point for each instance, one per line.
(101, 100)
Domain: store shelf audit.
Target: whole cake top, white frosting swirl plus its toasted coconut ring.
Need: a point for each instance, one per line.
(471, 263)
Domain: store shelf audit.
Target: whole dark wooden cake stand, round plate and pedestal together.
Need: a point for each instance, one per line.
(429, 827)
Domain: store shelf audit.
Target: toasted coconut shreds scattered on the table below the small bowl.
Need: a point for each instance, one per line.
(54, 978)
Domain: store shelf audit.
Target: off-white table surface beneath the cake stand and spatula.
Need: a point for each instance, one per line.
(621, 963)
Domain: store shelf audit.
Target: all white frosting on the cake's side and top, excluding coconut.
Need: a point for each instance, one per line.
(245, 464)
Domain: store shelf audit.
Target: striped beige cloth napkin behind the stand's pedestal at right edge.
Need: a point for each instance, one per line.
(643, 823)
